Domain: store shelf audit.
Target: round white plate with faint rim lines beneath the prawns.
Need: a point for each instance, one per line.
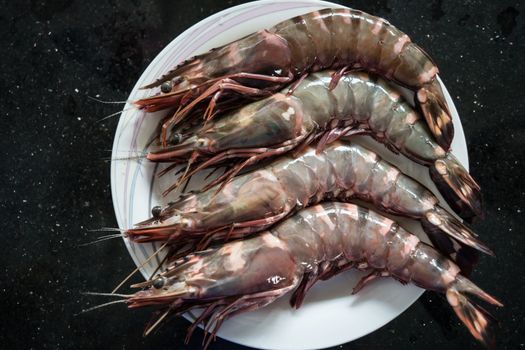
(330, 315)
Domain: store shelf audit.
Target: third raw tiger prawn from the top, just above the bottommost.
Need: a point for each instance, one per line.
(254, 201)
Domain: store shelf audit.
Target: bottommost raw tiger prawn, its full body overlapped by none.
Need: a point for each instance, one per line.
(314, 244)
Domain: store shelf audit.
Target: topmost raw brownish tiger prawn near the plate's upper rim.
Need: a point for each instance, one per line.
(266, 61)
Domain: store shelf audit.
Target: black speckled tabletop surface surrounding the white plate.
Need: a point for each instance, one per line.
(55, 183)
